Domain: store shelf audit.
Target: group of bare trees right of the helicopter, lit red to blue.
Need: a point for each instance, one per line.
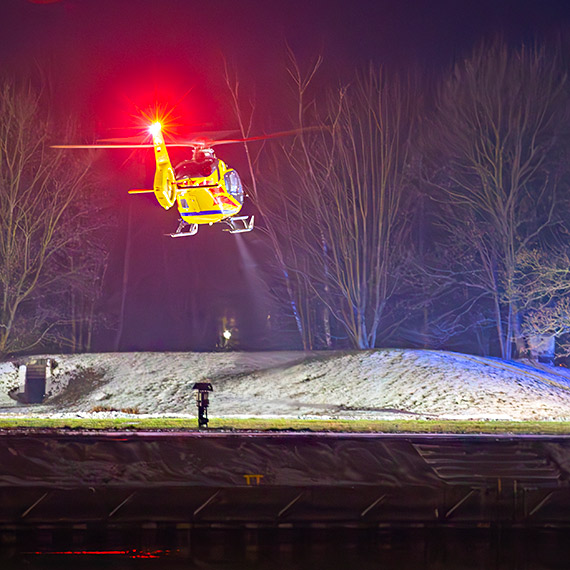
(433, 216)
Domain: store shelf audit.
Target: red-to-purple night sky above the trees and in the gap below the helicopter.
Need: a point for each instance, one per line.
(106, 60)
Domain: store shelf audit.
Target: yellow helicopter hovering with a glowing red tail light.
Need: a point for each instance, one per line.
(205, 189)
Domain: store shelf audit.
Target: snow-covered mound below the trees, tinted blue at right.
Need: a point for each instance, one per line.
(382, 384)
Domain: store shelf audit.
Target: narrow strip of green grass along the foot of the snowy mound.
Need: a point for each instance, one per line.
(256, 424)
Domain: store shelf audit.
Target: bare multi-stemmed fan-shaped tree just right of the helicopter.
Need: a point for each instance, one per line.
(342, 207)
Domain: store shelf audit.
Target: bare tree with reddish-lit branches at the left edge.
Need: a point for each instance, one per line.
(44, 228)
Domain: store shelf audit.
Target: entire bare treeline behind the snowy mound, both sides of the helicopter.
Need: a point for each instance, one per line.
(405, 212)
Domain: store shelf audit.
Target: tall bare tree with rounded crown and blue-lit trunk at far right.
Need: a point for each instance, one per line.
(495, 138)
